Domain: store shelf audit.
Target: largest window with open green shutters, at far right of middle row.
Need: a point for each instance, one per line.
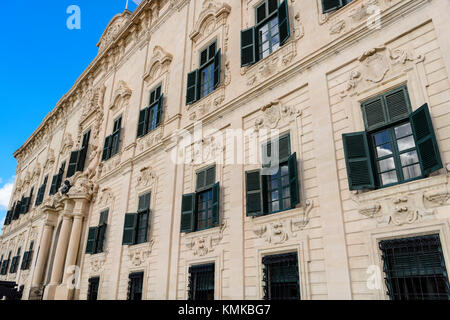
(398, 145)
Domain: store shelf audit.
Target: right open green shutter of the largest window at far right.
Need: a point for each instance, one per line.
(428, 150)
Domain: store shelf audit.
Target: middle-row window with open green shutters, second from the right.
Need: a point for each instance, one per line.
(267, 194)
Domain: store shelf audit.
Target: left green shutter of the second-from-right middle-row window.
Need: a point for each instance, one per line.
(253, 193)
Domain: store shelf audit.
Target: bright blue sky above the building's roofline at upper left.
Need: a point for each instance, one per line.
(40, 59)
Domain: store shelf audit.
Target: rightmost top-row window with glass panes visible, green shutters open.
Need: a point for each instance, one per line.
(270, 32)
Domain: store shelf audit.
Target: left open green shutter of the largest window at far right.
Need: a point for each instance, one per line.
(358, 161)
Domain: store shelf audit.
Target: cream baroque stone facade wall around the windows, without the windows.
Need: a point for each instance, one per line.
(312, 87)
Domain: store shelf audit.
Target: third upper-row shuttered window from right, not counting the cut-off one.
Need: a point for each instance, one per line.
(150, 117)
